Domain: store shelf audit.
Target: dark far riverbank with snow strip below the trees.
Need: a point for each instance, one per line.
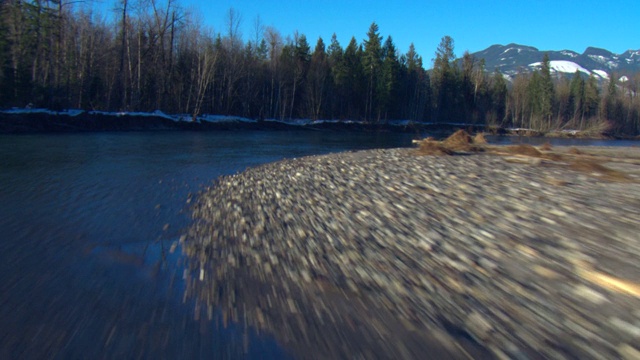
(29, 121)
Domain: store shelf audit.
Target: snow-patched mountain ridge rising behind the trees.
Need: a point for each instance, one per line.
(513, 58)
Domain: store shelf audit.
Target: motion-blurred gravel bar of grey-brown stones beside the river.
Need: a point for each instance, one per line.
(388, 254)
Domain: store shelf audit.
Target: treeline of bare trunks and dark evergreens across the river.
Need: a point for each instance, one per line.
(153, 54)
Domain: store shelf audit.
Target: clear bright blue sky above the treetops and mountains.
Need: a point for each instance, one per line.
(474, 25)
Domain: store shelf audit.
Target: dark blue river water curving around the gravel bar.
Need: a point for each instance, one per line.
(87, 222)
